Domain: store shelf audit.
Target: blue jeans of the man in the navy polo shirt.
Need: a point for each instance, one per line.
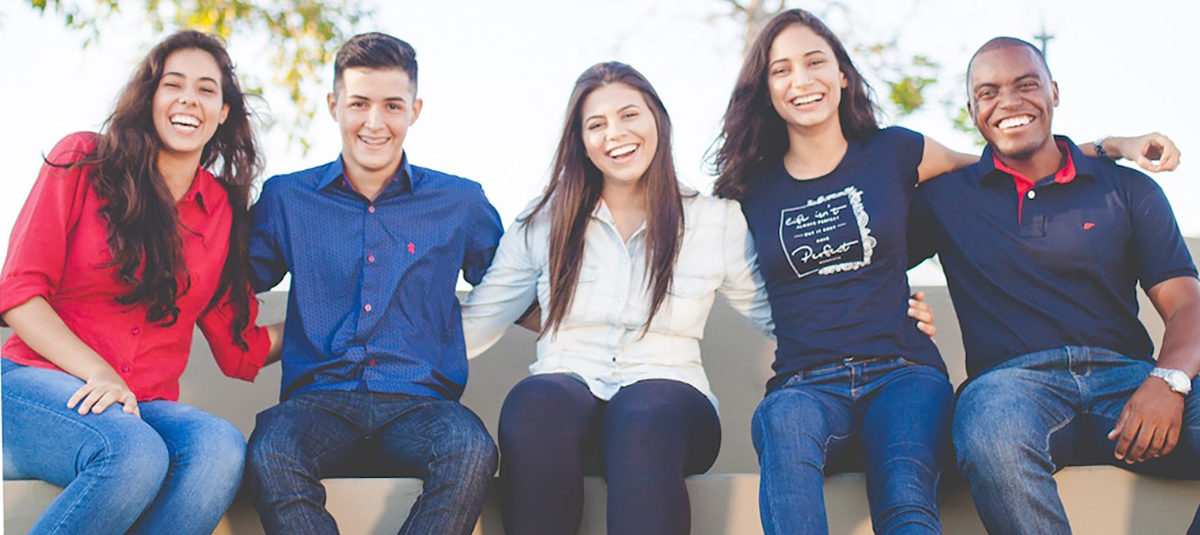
(1019, 423)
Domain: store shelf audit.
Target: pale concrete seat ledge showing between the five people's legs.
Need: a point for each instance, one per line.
(1099, 501)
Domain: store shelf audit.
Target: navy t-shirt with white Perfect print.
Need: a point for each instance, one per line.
(833, 254)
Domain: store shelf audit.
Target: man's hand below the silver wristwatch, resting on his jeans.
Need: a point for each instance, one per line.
(1154, 416)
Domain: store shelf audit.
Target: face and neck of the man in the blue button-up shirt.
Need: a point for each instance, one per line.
(374, 110)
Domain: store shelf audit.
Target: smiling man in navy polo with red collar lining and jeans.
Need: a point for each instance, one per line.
(1043, 249)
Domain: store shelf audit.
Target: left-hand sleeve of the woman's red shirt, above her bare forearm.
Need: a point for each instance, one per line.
(38, 248)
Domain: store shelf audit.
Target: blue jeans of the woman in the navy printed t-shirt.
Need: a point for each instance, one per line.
(897, 413)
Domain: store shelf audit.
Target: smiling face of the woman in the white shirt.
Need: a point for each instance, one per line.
(620, 133)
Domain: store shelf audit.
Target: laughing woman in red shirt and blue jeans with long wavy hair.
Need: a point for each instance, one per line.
(125, 243)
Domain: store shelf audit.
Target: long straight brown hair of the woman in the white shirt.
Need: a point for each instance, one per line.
(575, 187)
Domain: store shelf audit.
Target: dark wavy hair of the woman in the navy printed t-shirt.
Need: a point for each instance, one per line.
(753, 133)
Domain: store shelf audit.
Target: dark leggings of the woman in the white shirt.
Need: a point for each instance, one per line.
(645, 441)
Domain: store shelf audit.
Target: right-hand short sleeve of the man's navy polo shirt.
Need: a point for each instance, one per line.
(1160, 250)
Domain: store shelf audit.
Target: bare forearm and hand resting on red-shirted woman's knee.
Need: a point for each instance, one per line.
(41, 328)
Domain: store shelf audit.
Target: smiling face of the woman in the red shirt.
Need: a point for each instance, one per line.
(189, 105)
